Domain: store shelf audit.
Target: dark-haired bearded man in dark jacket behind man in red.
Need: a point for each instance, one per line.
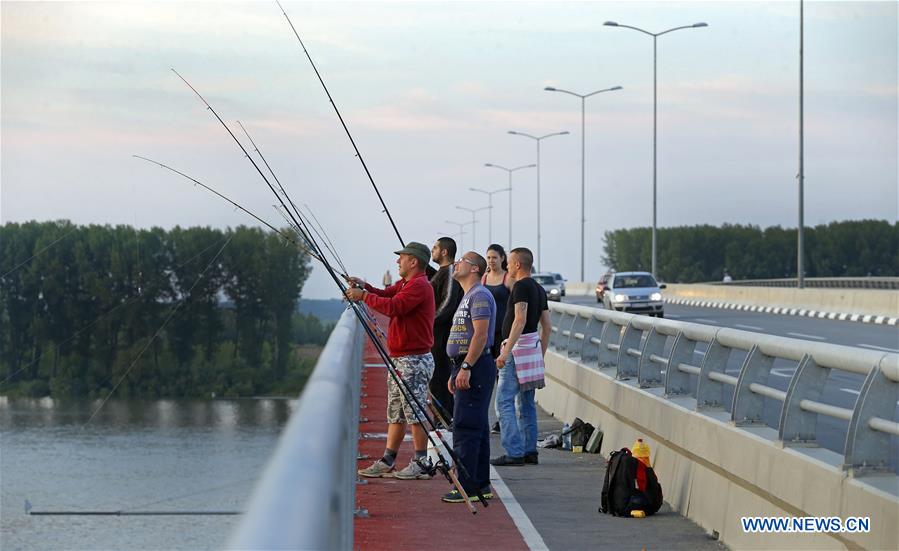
(447, 295)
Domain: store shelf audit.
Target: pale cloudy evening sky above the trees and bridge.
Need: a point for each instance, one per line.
(429, 91)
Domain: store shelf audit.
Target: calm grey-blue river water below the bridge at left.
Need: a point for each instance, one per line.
(159, 455)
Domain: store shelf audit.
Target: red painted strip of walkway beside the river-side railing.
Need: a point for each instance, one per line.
(408, 514)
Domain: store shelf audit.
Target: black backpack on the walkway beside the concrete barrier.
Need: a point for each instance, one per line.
(629, 486)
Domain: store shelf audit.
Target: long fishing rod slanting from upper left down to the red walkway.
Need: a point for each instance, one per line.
(421, 414)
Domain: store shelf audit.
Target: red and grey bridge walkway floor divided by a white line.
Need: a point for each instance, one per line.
(555, 503)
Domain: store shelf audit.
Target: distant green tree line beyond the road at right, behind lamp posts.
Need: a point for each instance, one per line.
(689, 254)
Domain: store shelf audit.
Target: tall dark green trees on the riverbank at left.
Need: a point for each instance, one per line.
(80, 307)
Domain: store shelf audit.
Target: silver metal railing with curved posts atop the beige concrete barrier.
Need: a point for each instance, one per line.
(662, 353)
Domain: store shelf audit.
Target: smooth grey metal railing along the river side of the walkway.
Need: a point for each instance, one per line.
(307, 495)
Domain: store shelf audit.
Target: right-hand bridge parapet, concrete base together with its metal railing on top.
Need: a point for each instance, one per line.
(641, 376)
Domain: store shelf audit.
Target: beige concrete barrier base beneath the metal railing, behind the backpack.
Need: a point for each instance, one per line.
(714, 472)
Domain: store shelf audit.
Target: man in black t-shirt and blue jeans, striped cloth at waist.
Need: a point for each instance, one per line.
(527, 308)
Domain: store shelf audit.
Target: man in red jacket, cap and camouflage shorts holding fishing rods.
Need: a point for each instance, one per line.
(410, 305)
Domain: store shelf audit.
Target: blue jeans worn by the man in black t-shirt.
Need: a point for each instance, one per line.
(517, 414)
